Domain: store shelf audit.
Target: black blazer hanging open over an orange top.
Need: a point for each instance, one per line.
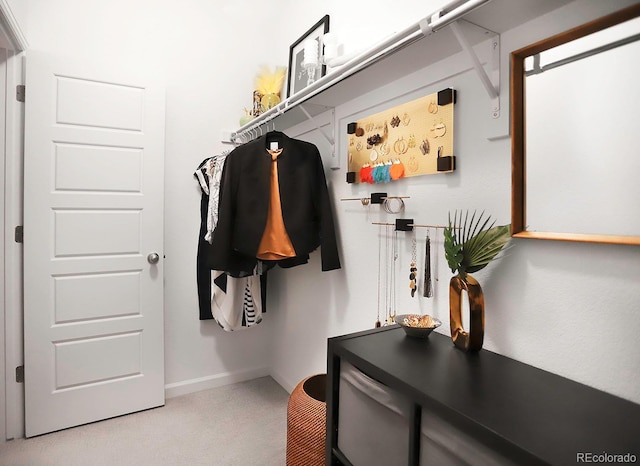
(244, 204)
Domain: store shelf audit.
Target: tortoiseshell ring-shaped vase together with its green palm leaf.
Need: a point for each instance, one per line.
(470, 245)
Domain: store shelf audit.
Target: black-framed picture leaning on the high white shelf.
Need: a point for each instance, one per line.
(300, 76)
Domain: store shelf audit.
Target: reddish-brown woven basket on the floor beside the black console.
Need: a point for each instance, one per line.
(306, 422)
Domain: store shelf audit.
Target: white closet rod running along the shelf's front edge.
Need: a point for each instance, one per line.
(415, 31)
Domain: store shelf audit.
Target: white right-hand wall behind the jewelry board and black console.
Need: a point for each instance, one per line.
(567, 308)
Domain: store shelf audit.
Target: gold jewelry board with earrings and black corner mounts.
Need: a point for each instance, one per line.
(416, 136)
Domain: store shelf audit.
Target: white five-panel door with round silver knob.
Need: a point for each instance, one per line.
(93, 220)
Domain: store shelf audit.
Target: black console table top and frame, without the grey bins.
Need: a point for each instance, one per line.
(526, 414)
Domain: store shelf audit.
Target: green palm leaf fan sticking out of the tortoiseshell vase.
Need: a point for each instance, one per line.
(470, 244)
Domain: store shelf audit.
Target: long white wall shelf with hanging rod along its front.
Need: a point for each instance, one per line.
(403, 53)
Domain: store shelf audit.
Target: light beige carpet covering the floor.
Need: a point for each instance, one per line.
(240, 424)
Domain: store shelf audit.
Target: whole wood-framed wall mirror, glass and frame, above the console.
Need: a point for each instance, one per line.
(575, 126)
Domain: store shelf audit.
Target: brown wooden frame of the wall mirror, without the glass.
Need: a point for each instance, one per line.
(518, 136)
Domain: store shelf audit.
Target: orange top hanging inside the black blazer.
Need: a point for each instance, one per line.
(275, 243)
